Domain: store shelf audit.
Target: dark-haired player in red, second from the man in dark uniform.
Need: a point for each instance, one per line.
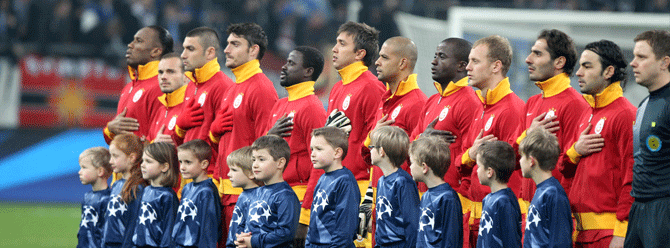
(551, 62)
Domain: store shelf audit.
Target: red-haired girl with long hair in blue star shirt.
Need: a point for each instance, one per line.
(123, 206)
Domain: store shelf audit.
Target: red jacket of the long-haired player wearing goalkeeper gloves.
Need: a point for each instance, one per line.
(358, 95)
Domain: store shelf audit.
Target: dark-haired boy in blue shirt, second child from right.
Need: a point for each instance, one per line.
(500, 224)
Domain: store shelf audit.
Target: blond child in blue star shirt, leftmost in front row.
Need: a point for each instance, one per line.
(95, 170)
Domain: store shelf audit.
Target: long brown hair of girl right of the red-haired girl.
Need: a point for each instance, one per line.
(165, 153)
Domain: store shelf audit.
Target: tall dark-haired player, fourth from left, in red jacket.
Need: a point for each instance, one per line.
(245, 108)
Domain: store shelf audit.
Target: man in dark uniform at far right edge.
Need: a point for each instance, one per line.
(649, 214)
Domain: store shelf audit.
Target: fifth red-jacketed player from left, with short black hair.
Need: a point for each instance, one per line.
(294, 118)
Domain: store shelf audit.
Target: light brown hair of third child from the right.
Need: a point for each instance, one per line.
(432, 151)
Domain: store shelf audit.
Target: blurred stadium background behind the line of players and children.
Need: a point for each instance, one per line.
(62, 66)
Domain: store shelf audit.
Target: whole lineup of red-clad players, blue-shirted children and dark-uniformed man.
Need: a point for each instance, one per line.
(198, 159)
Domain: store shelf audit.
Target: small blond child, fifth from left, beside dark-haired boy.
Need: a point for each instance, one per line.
(240, 174)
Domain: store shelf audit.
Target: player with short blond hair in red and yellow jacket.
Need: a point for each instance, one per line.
(489, 61)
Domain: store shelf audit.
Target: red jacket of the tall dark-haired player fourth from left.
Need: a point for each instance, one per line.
(251, 99)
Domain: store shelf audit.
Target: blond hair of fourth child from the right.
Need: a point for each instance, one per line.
(394, 141)
